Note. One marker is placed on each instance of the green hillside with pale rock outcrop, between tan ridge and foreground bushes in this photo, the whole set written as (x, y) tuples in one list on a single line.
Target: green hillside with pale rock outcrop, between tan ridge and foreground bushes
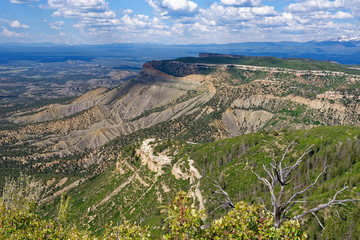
[(147, 175)]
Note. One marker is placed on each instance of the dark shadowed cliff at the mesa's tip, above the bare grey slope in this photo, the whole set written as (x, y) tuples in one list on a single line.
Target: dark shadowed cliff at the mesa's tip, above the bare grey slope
[(166, 68)]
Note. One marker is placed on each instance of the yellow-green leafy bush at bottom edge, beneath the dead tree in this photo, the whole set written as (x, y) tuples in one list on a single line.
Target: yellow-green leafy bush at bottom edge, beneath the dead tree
[(244, 222)]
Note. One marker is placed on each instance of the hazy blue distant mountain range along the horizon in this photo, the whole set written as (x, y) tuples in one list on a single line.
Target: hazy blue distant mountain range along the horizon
[(344, 50)]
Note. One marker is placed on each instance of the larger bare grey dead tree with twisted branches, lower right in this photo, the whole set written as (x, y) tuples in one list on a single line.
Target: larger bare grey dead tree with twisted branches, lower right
[(279, 174)]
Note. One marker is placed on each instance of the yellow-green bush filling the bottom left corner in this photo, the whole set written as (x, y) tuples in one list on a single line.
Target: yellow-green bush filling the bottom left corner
[(18, 218)]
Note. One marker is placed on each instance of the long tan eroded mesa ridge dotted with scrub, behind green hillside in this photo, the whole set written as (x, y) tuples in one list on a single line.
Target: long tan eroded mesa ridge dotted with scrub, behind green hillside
[(176, 99)]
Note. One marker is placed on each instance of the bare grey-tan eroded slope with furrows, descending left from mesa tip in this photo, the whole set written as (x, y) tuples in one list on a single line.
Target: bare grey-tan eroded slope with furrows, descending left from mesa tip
[(139, 103)]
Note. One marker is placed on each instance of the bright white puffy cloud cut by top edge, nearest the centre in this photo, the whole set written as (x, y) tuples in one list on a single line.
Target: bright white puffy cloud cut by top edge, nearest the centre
[(173, 7)]
